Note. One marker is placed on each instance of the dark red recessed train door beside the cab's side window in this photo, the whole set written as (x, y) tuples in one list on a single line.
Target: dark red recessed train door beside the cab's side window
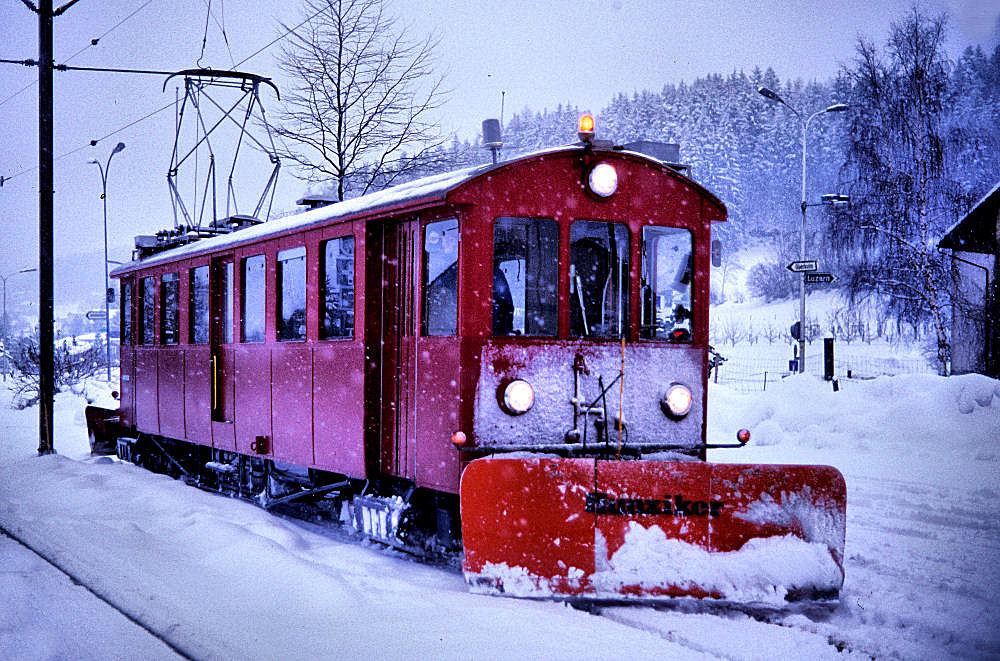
[(394, 325)]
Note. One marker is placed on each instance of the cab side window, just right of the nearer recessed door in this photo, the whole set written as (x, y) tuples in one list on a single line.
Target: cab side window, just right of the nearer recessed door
[(440, 278)]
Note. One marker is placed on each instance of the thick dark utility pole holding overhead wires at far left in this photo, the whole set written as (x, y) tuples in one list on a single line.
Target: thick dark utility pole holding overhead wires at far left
[(46, 321)]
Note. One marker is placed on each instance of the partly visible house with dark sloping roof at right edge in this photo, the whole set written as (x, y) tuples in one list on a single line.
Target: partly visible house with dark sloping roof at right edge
[(974, 241)]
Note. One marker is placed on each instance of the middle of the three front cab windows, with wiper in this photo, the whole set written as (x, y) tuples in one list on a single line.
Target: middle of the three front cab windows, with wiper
[(598, 279)]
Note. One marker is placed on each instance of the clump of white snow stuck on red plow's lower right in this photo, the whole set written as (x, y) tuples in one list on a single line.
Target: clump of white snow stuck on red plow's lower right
[(766, 570)]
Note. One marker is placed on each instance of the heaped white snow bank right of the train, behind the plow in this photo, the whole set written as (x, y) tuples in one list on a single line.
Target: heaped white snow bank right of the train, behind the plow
[(942, 430)]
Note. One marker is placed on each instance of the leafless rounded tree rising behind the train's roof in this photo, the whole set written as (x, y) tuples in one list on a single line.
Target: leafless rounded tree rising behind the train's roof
[(359, 112)]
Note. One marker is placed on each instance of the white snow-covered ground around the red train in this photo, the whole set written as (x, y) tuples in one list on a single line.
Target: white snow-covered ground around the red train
[(220, 579)]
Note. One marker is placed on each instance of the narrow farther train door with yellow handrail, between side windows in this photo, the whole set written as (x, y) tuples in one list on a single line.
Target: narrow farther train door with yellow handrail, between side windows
[(221, 341)]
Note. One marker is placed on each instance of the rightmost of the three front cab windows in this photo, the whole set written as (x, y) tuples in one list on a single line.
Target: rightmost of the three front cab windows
[(666, 284)]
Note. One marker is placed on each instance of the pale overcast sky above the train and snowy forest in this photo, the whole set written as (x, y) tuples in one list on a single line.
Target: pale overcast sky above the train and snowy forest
[(539, 53)]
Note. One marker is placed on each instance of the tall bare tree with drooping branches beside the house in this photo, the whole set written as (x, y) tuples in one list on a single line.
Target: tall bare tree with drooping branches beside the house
[(900, 160)]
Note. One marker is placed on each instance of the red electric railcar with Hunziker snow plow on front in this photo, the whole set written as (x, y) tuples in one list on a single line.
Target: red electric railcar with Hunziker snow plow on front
[(542, 320)]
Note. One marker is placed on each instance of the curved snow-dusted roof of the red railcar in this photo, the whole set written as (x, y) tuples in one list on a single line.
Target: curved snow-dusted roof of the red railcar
[(415, 194)]
